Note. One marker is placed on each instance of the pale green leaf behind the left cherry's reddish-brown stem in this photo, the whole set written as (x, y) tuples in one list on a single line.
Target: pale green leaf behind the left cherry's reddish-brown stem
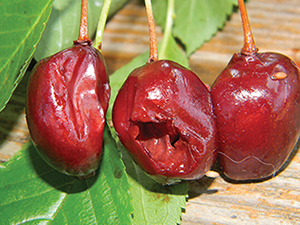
[(63, 26)]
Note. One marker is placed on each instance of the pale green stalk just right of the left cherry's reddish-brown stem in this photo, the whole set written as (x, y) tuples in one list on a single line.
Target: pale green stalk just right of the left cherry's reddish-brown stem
[(101, 24)]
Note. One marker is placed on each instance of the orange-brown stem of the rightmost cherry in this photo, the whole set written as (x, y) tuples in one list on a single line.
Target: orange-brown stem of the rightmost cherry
[(249, 47)]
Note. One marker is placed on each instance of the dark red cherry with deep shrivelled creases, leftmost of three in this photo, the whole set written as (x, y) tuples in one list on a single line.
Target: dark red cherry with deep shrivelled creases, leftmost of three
[(67, 100)]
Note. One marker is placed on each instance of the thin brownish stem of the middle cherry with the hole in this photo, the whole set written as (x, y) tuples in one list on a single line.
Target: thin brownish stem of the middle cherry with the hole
[(153, 42)]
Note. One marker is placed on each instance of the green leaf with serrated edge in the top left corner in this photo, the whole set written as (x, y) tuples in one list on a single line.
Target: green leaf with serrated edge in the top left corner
[(22, 24)]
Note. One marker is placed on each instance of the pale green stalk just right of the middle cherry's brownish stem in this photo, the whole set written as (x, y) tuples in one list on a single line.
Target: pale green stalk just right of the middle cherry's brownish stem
[(168, 29)]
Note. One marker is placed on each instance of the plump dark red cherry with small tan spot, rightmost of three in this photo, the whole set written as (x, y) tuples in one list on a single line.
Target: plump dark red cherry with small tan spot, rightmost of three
[(257, 105)]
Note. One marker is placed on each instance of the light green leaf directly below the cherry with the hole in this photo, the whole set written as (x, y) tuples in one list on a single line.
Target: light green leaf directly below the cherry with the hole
[(154, 203)]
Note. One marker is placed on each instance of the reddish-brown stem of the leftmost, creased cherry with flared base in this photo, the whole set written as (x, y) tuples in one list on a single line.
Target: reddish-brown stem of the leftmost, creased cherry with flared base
[(83, 38)]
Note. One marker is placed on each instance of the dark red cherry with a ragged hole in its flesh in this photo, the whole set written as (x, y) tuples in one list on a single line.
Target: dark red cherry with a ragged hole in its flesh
[(163, 116)]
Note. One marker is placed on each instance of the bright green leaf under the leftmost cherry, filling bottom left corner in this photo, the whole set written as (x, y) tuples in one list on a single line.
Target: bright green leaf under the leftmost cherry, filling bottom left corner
[(33, 192)]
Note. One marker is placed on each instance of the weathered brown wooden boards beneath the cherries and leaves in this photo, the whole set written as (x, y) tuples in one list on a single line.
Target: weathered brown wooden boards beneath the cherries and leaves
[(276, 27)]
